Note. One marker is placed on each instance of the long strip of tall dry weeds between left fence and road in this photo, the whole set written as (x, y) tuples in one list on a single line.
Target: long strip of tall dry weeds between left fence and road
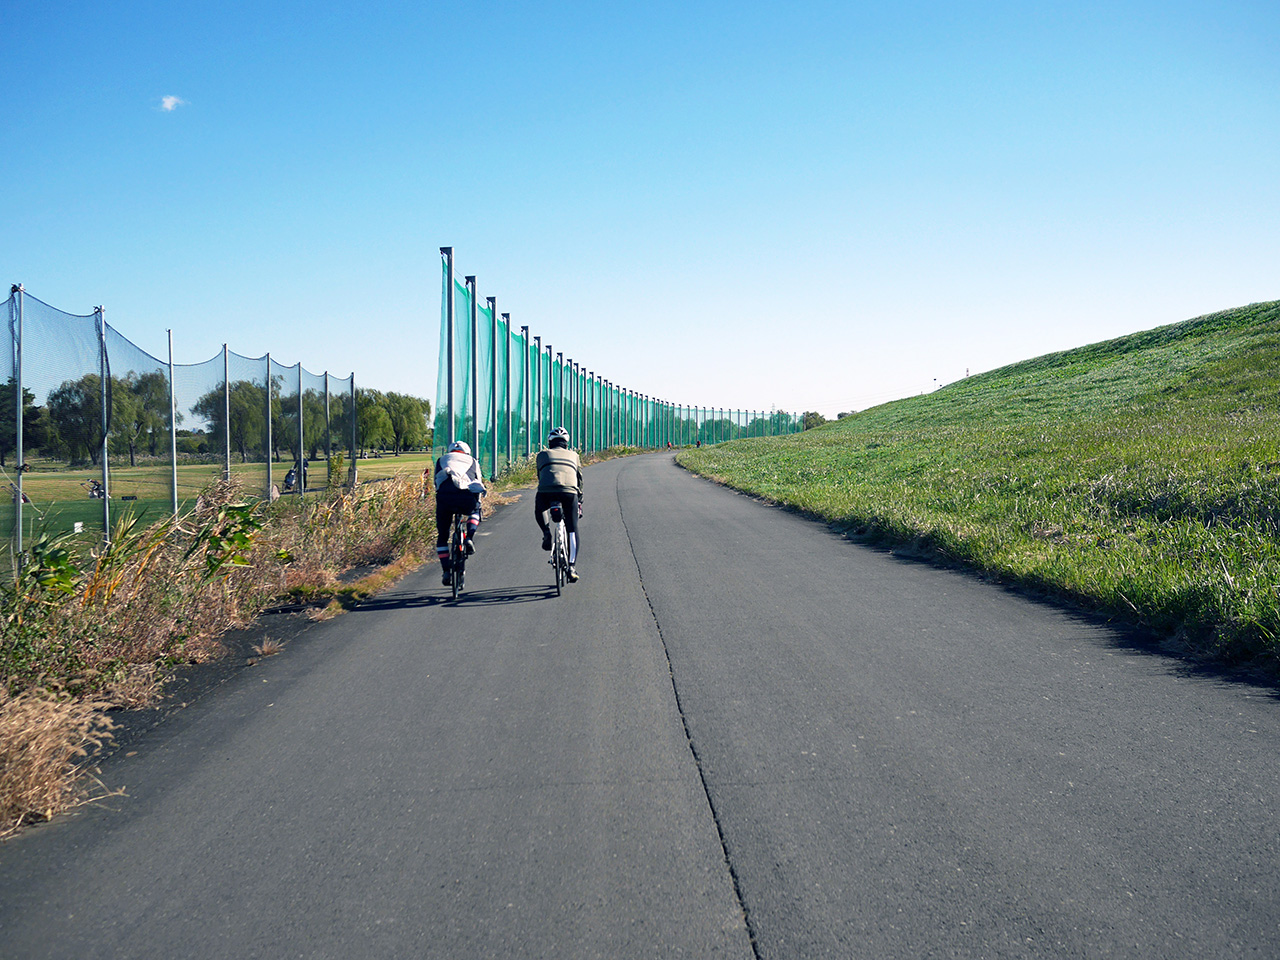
[(152, 600)]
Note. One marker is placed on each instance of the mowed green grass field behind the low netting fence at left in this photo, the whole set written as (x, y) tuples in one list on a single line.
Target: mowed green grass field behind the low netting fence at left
[(60, 497)]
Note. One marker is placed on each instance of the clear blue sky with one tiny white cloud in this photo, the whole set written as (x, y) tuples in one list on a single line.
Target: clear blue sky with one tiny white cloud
[(804, 205)]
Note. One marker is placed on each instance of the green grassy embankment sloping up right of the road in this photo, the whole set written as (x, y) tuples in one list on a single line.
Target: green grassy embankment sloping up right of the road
[(1139, 477)]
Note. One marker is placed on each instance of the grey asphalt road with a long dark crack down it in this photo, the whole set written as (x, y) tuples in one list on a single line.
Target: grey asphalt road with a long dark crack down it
[(740, 735)]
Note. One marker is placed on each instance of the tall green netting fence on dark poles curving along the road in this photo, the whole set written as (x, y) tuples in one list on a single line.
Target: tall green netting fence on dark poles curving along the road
[(502, 392)]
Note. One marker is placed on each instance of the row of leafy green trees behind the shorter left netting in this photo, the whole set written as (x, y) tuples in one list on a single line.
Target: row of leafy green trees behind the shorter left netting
[(70, 426)]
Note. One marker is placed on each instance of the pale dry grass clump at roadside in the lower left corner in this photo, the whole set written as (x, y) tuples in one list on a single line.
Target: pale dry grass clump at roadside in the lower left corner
[(48, 743)]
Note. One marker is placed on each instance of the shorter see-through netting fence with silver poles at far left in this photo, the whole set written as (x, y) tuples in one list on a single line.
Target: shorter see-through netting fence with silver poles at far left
[(93, 426)]
